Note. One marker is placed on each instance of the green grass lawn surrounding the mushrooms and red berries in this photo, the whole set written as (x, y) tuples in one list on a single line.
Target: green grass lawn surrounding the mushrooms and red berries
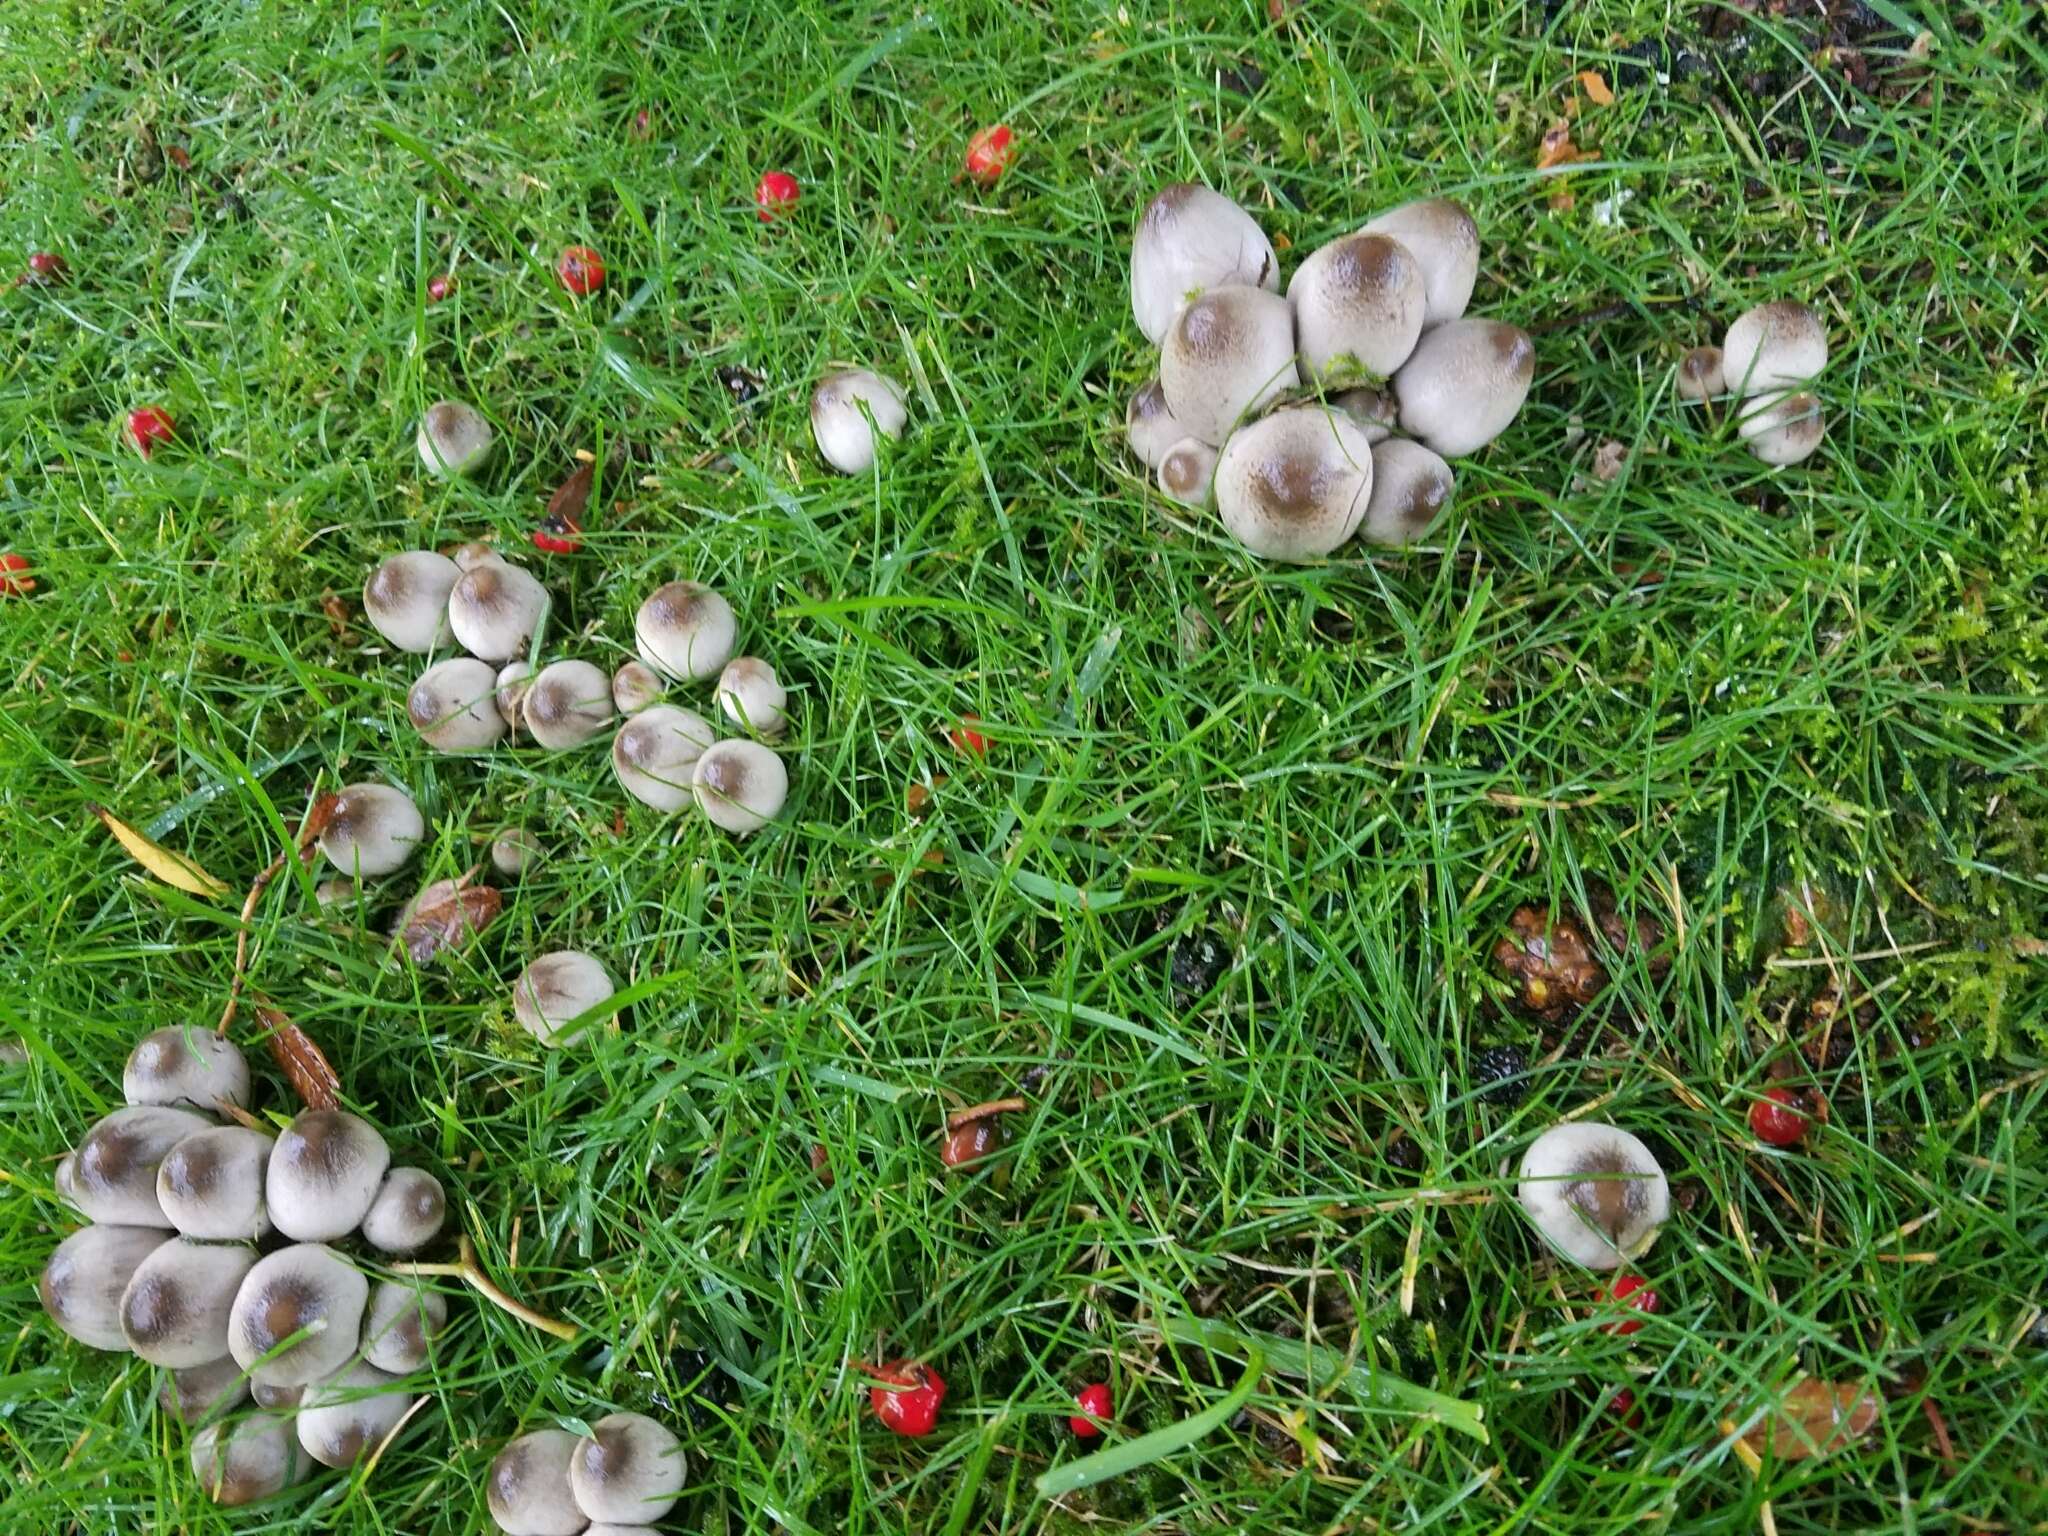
[(1701, 683)]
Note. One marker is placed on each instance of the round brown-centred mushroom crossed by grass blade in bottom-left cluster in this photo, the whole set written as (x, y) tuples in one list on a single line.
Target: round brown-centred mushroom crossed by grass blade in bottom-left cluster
[(302, 1289)]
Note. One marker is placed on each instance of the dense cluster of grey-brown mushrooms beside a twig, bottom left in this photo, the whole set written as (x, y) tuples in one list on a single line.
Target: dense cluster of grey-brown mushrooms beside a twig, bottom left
[(208, 1254)]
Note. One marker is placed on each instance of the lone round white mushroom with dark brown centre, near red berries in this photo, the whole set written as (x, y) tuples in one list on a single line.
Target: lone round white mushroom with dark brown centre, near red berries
[(1594, 1193)]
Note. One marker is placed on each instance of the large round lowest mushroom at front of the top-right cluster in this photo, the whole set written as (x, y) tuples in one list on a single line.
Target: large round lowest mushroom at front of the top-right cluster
[(1295, 484)]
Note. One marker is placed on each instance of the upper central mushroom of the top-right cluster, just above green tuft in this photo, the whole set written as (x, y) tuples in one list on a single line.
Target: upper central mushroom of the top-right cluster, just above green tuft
[(1359, 306)]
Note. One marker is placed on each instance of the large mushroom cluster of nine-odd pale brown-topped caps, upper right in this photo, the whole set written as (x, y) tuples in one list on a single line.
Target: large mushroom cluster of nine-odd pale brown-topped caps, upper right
[(1330, 411)]
